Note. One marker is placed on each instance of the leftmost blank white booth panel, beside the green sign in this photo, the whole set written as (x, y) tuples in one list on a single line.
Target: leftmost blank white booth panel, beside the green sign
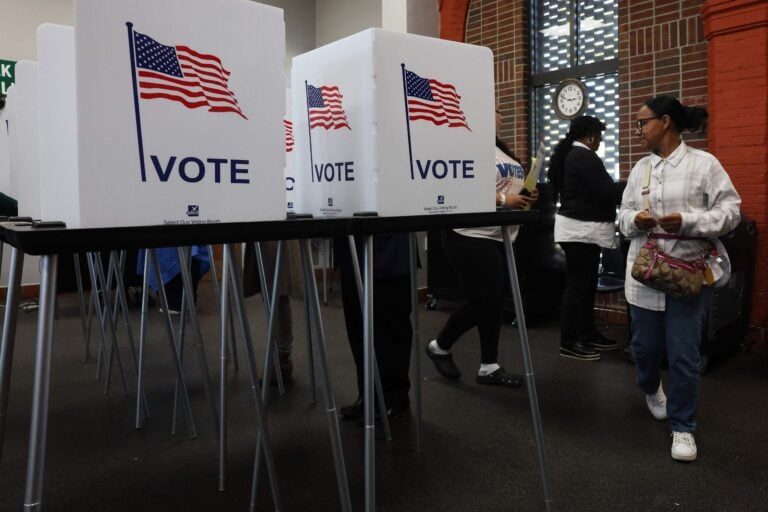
[(23, 140)]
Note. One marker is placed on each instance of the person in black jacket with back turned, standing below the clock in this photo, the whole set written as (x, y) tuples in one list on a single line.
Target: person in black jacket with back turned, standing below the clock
[(584, 224)]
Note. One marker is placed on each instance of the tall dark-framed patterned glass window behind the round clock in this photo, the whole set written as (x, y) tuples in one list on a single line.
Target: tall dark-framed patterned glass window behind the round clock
[(575, 38)]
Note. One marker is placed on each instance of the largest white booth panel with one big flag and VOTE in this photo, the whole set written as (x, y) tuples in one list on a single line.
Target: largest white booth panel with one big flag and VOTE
[(179, 107)]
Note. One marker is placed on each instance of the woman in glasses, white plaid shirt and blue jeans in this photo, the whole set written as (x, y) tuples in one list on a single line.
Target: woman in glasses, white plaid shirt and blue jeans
[(689, 201)]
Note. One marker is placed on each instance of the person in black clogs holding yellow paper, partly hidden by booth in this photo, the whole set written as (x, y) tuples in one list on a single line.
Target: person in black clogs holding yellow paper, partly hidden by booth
[(477, 256)]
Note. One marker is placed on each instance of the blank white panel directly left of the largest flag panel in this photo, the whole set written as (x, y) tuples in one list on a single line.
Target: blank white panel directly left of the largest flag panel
[(59, 183)]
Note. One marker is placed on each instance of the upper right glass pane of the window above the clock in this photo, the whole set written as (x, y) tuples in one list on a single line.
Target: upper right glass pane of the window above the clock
[(598, 27)]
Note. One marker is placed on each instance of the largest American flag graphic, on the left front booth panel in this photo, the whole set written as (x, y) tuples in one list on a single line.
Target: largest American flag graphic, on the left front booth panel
[(179, 73)]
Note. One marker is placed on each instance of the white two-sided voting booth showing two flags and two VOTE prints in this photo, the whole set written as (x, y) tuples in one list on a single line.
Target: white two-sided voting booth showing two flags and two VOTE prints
[(394, 123)]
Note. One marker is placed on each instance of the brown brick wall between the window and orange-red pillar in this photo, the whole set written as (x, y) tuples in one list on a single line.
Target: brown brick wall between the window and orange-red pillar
[(662, 50)]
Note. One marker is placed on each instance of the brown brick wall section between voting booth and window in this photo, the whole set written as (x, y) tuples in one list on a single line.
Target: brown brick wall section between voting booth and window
[(502, 26)]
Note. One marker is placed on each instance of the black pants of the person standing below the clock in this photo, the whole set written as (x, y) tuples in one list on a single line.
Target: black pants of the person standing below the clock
[(577, 320)]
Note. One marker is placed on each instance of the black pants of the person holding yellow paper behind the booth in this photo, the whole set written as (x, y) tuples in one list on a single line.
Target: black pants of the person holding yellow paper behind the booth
[(479, 264)]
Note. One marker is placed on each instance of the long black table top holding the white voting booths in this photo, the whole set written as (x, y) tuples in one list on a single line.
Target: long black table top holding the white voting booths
[(33, 239)]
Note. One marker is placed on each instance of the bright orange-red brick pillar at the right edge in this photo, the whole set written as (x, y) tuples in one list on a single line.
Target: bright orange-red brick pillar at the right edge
[(738, 81)]
